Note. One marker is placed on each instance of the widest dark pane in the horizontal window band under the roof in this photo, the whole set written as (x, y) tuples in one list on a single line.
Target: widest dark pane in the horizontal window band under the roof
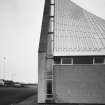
[(83, 60)]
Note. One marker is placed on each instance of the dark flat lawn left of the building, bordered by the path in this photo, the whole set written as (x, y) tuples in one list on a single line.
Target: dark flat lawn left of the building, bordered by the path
[(10, 95)]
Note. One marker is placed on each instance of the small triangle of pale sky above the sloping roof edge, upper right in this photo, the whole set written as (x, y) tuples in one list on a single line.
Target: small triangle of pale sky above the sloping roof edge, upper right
[(96, 7)]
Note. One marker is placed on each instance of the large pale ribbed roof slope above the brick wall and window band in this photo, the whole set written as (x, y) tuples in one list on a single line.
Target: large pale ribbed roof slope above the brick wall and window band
[(77, 32)]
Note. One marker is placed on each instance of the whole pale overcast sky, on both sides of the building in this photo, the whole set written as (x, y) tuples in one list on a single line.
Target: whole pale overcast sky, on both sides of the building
[(20, 26)]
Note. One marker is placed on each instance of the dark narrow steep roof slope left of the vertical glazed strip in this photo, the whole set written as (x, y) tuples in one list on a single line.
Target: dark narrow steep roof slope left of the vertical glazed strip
[(44, 29)]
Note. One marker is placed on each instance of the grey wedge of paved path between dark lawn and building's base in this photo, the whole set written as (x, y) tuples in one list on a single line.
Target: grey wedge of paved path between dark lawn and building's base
[(29, 101)]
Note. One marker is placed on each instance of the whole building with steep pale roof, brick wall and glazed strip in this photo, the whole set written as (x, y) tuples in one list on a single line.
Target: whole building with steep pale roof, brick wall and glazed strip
[(71, 56)]
